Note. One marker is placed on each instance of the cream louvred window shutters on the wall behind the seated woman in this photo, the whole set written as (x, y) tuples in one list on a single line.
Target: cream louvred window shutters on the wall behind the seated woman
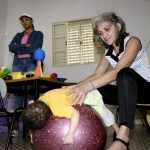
[(73, 43)]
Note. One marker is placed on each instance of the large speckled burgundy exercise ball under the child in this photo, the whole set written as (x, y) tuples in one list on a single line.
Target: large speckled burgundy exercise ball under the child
[(90, 135)]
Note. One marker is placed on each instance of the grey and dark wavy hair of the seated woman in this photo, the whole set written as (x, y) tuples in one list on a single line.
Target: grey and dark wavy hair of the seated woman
[(114, 19)]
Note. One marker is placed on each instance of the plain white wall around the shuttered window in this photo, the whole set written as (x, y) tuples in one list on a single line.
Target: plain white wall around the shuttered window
[(134, 12)]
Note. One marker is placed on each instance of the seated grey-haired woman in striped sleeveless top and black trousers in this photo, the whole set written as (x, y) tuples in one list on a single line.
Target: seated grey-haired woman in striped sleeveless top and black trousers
[(130, 68)]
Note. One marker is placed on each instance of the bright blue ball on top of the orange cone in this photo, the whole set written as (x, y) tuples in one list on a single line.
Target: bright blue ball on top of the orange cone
[(39, 55)]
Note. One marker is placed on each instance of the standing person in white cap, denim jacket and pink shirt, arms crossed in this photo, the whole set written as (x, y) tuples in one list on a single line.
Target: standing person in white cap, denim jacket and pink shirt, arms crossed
[(23, 46)]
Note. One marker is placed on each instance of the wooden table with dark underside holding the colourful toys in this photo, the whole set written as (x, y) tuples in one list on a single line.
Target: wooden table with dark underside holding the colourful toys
[(33, 86)]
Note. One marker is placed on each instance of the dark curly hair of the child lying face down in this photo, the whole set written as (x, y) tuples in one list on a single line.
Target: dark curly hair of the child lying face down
[(35, 115)]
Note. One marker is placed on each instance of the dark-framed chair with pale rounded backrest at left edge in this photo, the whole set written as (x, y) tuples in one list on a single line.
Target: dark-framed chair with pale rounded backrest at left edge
[(10, 115)]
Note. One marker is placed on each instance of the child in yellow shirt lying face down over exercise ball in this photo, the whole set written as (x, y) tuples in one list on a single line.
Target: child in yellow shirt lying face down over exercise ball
[(36, 114)]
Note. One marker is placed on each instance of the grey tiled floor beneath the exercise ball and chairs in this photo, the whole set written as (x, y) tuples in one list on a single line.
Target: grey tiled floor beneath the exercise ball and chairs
[(140, 140)]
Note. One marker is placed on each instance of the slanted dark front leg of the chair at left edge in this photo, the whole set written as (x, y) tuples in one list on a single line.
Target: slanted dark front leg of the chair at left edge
[(9, 138)]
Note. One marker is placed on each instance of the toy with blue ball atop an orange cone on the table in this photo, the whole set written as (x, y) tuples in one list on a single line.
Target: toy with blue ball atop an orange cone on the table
[(39, 55)]
